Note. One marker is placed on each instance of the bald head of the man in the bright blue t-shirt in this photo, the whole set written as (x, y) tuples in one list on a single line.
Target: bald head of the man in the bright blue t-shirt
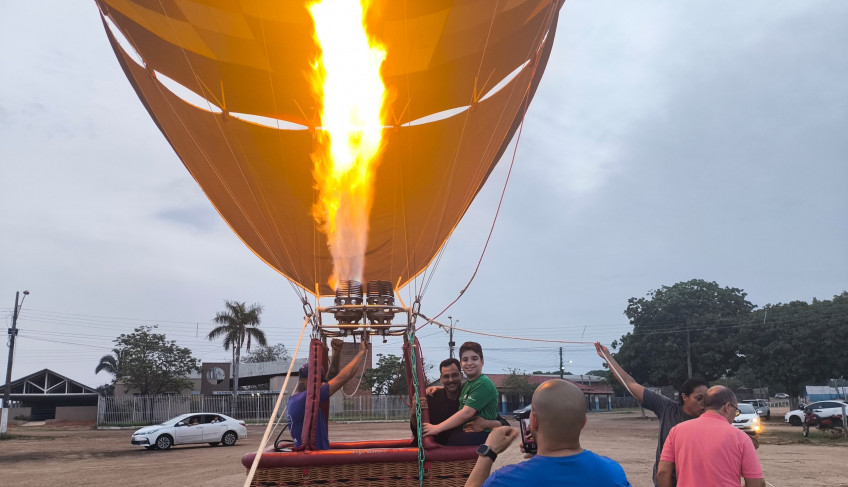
[(560, 410)]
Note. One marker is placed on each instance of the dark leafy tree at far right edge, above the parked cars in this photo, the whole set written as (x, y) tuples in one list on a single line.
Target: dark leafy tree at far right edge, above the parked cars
[(797, 343)]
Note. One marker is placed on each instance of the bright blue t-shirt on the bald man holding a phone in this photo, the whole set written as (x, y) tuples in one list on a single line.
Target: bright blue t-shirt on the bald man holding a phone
[(585, 468)]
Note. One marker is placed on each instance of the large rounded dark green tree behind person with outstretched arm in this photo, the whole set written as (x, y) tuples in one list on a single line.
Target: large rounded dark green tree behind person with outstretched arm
[(696, 316)]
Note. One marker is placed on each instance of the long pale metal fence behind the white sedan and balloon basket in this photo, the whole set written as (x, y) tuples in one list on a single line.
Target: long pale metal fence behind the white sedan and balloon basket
[(254, 408)]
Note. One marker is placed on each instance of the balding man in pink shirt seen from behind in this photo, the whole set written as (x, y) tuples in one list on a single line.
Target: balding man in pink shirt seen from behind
[(709, 450)]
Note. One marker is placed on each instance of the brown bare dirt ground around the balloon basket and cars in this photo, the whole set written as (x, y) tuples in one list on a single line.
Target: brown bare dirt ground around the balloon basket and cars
[(80, 455)]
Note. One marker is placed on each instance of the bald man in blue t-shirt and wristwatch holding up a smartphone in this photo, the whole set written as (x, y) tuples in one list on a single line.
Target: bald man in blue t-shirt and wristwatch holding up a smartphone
[(556, 420)]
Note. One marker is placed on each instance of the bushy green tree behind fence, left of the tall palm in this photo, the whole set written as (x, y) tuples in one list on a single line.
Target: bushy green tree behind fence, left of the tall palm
[(152, 365)]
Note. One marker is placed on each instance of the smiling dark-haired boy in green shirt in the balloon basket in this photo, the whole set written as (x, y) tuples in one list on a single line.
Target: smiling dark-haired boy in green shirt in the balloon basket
[(478, 396)]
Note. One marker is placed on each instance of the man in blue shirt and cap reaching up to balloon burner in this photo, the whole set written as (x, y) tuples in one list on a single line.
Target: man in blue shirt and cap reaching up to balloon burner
[(297, 403)]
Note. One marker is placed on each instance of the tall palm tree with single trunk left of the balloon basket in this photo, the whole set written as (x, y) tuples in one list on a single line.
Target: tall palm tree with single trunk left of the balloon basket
[(238, 325)]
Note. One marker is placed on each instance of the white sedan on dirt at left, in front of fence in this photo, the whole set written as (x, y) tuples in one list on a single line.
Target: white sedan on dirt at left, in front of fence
[(209, 428)]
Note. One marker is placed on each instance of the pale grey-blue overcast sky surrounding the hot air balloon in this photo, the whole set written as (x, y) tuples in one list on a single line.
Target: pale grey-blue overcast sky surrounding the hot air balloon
[(668, 141)]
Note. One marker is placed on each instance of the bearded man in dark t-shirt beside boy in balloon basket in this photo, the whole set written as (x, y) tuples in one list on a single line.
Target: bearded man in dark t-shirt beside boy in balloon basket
[(443, 402)]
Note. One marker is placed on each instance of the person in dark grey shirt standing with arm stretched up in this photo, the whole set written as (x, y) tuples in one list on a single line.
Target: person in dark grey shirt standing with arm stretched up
[(669, 413)]
